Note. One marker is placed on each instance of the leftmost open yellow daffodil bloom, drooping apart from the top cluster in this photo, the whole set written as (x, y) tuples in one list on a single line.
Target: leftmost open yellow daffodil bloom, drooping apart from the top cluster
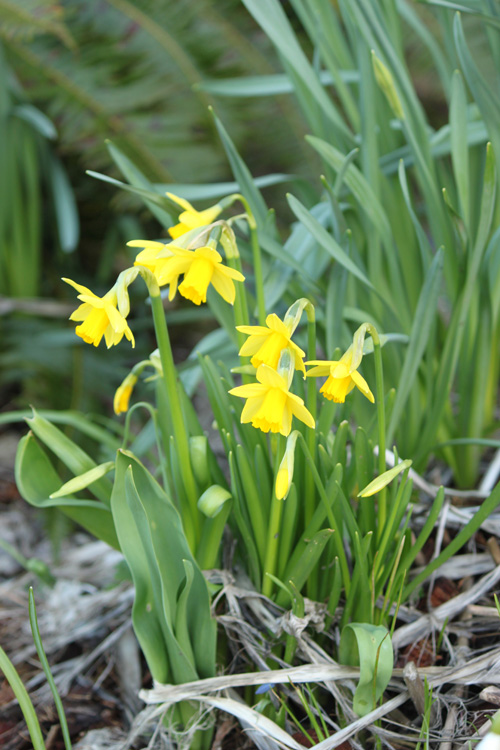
[(99, 316)]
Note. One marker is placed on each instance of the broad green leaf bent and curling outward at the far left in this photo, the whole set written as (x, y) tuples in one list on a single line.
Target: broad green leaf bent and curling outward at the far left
[(37, 479)]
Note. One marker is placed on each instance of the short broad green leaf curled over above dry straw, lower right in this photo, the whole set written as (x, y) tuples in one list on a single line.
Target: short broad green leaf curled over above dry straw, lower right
[(370, 647)]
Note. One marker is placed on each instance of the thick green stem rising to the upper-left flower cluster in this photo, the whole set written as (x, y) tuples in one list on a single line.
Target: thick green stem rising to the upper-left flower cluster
[(173, 397)]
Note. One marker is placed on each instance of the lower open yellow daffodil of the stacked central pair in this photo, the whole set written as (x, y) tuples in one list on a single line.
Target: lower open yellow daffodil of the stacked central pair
[(270, 406)]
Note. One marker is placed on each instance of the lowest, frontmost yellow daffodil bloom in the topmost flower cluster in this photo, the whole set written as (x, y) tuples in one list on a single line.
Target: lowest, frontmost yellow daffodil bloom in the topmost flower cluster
[(201, 267)]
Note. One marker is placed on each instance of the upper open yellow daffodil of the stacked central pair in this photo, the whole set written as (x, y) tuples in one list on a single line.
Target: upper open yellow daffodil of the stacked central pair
[(267, 342)]
